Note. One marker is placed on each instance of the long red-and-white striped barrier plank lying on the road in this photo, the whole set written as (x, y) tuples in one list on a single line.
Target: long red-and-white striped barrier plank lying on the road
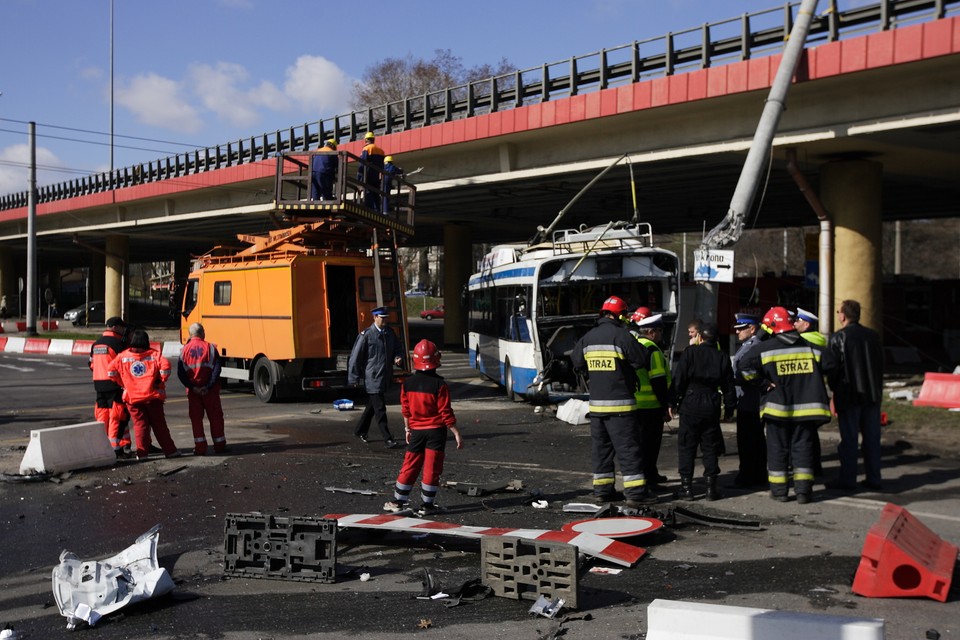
[(587, 543)]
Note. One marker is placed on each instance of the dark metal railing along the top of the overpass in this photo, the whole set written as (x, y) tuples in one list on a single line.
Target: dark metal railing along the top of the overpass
[(749, 36)]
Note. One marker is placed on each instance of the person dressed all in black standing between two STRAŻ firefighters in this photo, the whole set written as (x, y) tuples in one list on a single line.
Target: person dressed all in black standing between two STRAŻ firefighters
[(702, 377)]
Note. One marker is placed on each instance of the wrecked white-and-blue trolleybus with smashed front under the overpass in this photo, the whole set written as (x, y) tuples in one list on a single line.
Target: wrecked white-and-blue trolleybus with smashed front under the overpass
[(529, 304)]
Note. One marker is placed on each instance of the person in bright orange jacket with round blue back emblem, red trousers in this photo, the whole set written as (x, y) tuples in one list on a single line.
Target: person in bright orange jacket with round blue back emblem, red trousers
[(143, 373)]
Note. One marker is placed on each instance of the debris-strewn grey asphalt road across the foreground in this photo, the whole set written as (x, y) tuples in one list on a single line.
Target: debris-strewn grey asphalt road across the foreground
[(284, 456)]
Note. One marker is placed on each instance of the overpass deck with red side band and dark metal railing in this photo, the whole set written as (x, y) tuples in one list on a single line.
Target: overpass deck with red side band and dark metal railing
[(874, 116)]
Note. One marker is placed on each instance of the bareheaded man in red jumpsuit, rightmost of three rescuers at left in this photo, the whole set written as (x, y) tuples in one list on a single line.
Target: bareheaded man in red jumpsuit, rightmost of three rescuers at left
[(199, 371)]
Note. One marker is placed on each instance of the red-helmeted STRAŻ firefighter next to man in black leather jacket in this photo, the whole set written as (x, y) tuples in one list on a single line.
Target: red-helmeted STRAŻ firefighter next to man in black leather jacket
[(793, 401)]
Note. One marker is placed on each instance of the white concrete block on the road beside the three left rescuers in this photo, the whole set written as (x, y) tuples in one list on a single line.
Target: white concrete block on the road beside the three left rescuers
[(74, 446)]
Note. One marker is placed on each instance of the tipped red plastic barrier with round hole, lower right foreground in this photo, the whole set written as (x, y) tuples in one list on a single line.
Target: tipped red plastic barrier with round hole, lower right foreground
[(903, 558)]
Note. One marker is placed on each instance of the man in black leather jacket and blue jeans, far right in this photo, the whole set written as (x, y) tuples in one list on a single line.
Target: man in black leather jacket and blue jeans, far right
[(857, 391)]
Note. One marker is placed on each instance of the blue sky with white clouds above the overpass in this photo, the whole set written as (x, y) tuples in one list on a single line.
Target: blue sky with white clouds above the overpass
[(194, 73)]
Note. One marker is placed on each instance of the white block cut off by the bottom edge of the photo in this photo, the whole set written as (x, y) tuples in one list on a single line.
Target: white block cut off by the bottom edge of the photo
[(678, 620)]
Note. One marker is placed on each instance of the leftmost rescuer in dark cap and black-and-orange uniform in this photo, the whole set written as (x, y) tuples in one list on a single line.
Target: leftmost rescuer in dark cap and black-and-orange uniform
[(109, 408)]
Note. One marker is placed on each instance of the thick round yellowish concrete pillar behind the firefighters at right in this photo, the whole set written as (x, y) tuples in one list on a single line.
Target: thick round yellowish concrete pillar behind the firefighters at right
[(851, 192)]
